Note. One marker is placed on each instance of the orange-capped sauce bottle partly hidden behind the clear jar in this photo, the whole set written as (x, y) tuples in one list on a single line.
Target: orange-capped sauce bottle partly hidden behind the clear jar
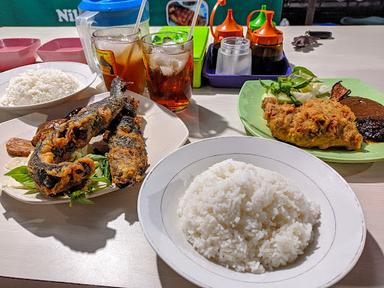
[(228, 28)]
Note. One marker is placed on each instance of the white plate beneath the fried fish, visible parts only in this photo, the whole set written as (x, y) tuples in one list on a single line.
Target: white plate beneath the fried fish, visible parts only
[(164, 132)]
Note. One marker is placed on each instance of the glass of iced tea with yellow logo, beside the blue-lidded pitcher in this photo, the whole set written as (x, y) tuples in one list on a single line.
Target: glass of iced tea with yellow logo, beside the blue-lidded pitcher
[(119, 53)]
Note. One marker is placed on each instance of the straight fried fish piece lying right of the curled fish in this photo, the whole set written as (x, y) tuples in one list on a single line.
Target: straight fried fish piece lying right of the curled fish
[(127, 154)]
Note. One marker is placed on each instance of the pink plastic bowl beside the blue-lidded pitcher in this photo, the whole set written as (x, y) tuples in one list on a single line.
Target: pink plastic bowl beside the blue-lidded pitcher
[(62, 49)]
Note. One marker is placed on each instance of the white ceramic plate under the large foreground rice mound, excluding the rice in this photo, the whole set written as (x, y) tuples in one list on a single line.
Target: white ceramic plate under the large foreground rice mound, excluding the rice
[(332, 255)]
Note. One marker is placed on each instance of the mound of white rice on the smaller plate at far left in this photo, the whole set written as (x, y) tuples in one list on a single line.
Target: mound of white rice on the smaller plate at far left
[(38, 86)]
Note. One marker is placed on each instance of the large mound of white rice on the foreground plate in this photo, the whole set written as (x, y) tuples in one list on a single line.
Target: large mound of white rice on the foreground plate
[(246, 218)]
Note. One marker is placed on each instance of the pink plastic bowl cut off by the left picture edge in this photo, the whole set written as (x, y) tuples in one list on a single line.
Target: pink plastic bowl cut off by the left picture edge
[(15, 52)]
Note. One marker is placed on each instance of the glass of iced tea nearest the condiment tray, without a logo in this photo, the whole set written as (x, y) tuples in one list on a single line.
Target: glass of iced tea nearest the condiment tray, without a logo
[(168, 59)]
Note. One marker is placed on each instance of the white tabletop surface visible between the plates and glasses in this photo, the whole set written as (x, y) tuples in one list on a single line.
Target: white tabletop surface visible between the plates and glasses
[(103, 244)]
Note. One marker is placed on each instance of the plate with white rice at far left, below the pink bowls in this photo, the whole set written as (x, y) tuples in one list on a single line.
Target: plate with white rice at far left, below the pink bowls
[(43, 85)]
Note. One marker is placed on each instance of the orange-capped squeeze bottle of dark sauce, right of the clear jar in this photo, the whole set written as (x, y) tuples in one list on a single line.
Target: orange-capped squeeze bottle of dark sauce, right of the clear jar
[(267, 46)]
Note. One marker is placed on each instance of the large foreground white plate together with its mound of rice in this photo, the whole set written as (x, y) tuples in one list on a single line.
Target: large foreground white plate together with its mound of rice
[(249, 212)]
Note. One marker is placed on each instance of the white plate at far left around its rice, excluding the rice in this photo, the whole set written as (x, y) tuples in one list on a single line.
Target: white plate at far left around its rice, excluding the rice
[(78, 70)]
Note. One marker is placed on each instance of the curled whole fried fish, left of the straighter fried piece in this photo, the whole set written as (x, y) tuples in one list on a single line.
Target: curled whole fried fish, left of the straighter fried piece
[(50, 165)]
